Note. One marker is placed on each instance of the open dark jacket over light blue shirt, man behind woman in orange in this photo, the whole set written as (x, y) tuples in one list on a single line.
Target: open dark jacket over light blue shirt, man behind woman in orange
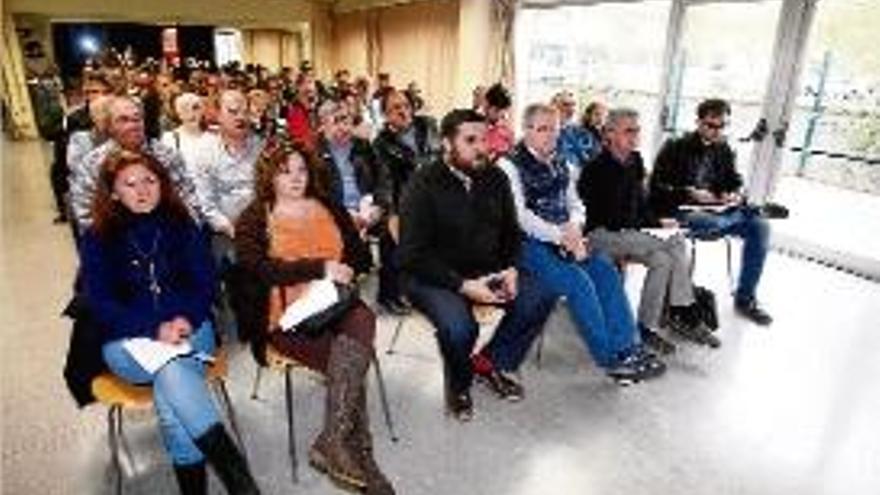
[(365, 168)]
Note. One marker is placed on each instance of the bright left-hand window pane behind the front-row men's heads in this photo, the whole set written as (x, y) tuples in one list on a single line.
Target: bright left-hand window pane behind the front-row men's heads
[(610, 52)]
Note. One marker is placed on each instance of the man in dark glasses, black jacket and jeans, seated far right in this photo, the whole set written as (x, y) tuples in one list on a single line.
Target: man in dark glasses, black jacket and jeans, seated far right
[(695, 180)]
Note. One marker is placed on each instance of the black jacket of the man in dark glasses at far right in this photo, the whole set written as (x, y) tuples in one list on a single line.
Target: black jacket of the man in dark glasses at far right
[(687, 162)]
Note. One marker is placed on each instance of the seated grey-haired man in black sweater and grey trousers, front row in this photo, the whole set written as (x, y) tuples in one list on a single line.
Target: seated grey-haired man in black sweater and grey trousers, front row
[(613, 189)]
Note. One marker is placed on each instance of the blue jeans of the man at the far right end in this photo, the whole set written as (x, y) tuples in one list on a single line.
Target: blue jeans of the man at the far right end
[(743, 222)]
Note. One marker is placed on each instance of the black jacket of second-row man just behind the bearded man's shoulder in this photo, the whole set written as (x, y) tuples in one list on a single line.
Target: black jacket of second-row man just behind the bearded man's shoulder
[(397, 161)]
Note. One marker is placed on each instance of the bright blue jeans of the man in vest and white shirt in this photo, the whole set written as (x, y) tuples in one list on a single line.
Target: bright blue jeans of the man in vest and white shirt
[(595, 294)]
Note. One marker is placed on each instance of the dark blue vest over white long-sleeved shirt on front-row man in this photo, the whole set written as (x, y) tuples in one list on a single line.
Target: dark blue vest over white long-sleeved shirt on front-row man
[(544, 187)]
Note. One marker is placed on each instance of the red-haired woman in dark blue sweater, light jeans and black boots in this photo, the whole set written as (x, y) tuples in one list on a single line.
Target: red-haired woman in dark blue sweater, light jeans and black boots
[(147, 273)]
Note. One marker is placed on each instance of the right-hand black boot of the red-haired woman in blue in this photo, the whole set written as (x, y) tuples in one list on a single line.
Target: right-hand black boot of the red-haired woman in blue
[(227, 461)]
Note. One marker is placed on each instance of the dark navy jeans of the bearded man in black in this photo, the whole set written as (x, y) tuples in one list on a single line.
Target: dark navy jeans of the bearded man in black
[(457, 330)]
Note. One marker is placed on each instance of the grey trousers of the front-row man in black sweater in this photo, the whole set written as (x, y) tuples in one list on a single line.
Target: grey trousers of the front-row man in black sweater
[(668, 279)]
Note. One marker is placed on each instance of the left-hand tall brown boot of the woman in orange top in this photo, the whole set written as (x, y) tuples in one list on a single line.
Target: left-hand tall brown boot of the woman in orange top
[(331, 452)]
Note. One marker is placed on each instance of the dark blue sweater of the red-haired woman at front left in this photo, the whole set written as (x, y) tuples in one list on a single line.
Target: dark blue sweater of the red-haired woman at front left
[(151, 271)]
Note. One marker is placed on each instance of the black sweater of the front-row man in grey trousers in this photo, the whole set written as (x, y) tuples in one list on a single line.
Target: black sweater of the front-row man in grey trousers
[(614, 193)]
